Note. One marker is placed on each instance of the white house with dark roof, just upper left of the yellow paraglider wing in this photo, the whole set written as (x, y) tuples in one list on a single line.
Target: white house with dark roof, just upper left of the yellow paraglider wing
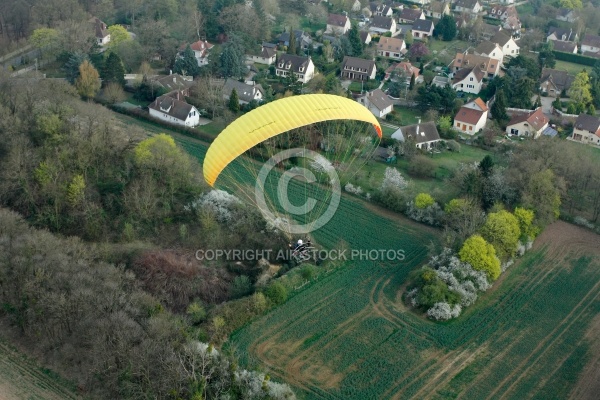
[(173, 110)]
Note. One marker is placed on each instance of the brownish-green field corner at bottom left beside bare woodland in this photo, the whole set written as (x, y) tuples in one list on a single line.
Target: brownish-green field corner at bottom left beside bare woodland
[(21, 378)]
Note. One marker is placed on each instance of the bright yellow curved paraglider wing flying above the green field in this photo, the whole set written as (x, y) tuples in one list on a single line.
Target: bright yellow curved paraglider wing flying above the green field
[(275, 118)]
